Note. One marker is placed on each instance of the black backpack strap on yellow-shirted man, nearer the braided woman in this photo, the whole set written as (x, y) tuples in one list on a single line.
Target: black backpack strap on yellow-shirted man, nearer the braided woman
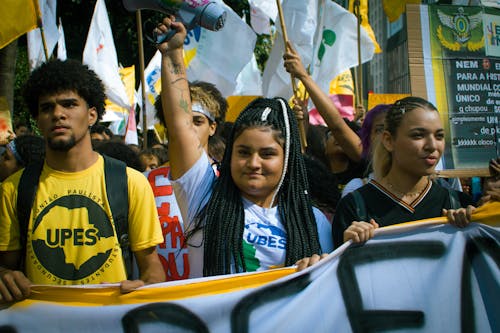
[(115, 174)]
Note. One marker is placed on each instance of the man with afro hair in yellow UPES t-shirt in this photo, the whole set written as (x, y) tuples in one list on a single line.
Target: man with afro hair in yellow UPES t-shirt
[(71, 237)]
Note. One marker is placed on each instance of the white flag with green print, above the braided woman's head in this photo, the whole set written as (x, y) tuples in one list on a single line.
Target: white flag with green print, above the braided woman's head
[(325, 36)]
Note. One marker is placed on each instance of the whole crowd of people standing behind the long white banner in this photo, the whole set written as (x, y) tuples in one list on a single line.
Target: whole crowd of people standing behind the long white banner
[(218, 197)]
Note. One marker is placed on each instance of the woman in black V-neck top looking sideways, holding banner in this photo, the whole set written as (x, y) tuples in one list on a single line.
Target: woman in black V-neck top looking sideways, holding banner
[(405, 156)]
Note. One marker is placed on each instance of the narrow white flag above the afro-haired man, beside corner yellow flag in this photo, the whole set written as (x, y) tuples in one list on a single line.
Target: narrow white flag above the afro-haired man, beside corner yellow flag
[(36, 52)]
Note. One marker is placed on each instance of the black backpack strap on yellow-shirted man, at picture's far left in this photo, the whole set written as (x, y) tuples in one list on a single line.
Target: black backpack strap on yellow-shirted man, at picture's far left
[(26, 192)]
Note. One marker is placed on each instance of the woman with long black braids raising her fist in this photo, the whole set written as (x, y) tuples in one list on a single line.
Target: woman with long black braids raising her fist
[(257, 215)]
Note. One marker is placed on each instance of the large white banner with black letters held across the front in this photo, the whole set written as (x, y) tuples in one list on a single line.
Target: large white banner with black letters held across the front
[(419, 278)]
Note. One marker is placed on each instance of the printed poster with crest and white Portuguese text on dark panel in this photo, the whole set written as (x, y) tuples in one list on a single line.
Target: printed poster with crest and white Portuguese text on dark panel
[(465, 56)]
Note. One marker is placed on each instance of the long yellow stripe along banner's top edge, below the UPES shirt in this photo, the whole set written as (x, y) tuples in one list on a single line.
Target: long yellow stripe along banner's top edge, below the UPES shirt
[(99, 296)]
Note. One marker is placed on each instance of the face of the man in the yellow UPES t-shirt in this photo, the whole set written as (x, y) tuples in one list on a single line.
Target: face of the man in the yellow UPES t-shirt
[(64, 119)]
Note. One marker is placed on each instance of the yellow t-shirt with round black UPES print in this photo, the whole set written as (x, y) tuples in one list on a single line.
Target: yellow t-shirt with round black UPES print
[(71, 237)]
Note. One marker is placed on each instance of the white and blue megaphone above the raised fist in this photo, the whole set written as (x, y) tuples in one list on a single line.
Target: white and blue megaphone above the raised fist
[(207, 14)]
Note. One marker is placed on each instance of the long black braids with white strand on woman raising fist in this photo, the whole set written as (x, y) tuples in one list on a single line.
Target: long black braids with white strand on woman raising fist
[(223, 217)]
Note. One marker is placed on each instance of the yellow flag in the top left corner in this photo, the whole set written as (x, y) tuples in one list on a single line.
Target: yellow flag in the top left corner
[(17, 17)]
